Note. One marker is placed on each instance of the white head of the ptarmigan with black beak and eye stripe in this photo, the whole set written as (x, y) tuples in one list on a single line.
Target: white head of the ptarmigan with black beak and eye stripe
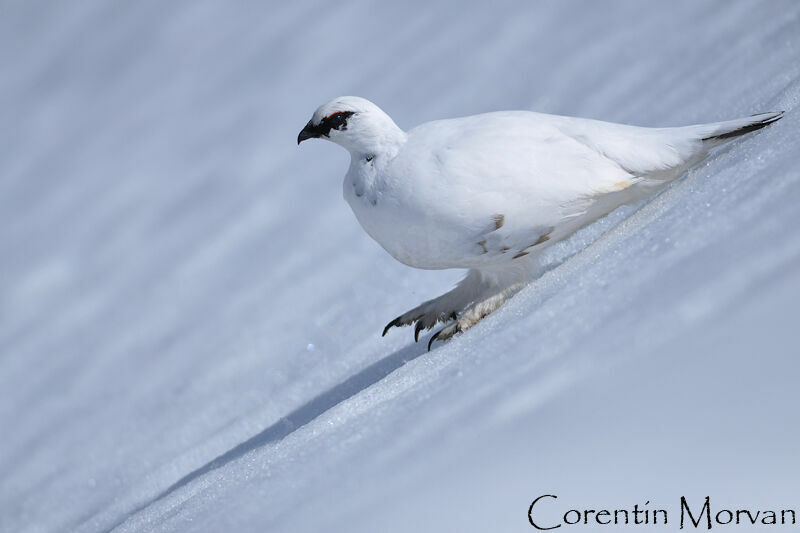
[(354, 123)]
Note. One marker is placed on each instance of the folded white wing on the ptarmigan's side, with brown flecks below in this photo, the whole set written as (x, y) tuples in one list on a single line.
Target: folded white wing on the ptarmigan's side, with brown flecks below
[(465, 175)]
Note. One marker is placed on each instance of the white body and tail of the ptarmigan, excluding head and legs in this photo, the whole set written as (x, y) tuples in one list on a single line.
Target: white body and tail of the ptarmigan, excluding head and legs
[(486, 189)]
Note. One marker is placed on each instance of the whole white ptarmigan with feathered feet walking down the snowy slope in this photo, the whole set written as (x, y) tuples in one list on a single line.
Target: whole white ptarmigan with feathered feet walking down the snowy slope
[(489, 192)]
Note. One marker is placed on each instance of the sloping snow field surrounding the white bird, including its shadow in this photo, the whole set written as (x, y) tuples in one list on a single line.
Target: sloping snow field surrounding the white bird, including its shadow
[(169, 255)]
